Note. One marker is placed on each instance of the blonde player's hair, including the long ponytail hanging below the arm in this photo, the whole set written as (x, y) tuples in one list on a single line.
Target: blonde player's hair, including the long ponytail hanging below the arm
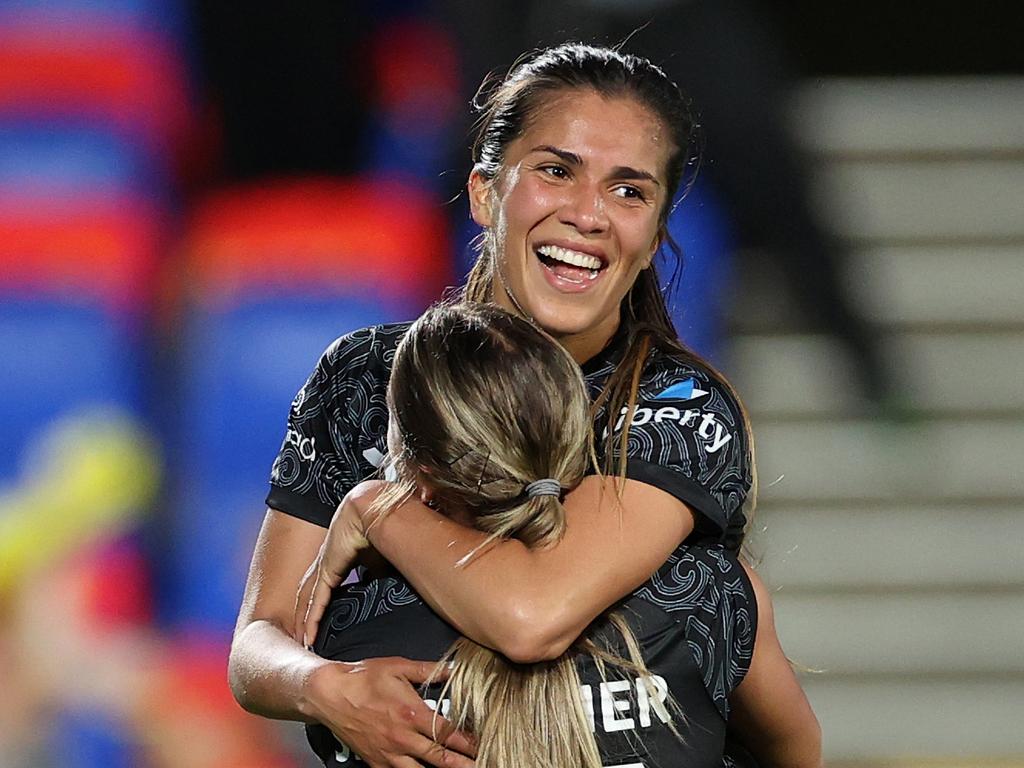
[(485, 404)]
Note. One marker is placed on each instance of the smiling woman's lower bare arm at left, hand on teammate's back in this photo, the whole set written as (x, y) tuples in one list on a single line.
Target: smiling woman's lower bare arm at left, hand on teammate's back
[(371, 706)]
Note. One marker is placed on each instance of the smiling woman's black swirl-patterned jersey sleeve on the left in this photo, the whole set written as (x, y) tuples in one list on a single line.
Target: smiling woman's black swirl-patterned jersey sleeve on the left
[(318, 462)]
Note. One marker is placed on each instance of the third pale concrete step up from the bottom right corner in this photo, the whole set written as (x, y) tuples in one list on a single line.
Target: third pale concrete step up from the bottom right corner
[(898, 546)]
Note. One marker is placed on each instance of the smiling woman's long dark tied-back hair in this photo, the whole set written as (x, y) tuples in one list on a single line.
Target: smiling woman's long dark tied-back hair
[(506, 112)]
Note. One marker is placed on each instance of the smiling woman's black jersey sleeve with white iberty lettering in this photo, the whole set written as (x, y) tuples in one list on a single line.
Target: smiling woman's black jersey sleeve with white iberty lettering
[(688, 437)]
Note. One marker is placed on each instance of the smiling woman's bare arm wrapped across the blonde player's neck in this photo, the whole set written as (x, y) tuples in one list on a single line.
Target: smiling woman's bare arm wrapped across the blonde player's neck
[(533, 605)]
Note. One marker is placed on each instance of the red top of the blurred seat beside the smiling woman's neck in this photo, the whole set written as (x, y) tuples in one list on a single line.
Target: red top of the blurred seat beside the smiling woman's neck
[(326, 237)]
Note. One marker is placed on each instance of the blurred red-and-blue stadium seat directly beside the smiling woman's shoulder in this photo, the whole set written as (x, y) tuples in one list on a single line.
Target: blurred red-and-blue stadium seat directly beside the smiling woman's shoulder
[(277, 272)]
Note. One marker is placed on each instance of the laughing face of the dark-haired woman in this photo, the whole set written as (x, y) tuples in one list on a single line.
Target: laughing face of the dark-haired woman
[(574, 215)]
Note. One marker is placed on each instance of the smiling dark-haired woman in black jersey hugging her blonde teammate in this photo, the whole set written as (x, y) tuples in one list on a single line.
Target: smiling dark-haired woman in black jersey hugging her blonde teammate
[(579, 157)]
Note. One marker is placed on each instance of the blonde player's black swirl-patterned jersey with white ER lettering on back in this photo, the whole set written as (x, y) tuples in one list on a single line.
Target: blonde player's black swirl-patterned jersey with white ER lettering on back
[(695, 621)]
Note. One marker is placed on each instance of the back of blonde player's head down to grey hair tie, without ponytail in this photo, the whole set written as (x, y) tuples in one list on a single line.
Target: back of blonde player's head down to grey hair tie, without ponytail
[(486, 404)]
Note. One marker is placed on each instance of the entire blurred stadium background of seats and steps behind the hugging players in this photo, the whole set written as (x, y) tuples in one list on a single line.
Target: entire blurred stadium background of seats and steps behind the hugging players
[(196, 199)]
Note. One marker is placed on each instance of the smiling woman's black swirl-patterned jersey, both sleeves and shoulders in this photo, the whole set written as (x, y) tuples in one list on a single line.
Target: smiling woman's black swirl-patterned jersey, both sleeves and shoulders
[(687, 435)]
